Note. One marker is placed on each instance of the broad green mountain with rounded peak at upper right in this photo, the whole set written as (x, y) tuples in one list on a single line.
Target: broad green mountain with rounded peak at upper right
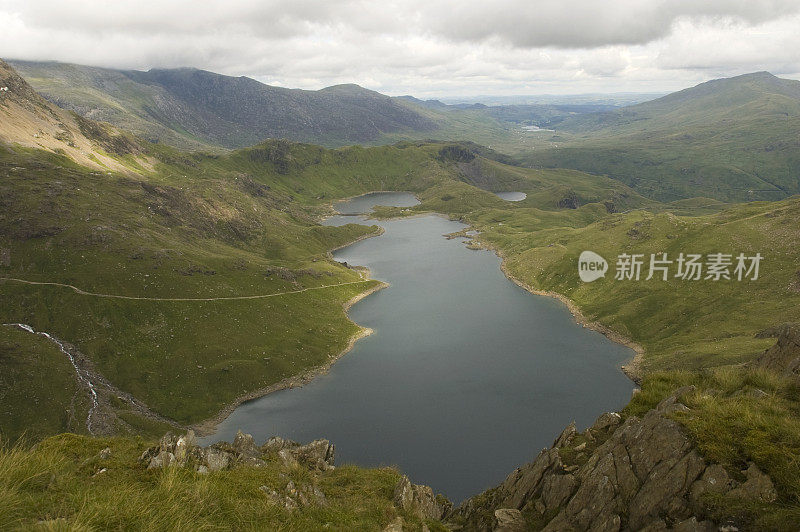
[(733, 139)]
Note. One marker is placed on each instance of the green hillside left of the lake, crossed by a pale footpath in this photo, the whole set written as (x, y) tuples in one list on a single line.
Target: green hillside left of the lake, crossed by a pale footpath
[(173, 238)]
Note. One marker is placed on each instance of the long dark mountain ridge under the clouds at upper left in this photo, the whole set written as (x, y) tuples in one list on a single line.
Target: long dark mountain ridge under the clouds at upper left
[(193, 108)]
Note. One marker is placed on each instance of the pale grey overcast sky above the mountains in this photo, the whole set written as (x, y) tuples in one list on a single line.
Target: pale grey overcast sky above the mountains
[(428, 48)]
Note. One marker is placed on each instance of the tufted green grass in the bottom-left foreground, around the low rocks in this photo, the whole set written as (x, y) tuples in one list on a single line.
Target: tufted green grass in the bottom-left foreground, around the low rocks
[(57, 486)]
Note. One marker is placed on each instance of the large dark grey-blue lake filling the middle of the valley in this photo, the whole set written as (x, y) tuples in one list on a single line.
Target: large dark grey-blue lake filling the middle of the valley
[(466, 376)]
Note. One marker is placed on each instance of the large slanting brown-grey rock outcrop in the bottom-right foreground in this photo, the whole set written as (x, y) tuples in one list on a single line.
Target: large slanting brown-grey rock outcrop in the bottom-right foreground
[(637, 474)]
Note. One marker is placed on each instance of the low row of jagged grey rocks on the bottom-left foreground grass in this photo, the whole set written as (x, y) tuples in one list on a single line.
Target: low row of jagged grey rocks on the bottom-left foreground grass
[(184, 451)]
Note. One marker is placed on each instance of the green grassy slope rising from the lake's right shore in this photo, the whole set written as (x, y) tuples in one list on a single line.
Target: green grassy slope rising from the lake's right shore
[(680, 323)]
